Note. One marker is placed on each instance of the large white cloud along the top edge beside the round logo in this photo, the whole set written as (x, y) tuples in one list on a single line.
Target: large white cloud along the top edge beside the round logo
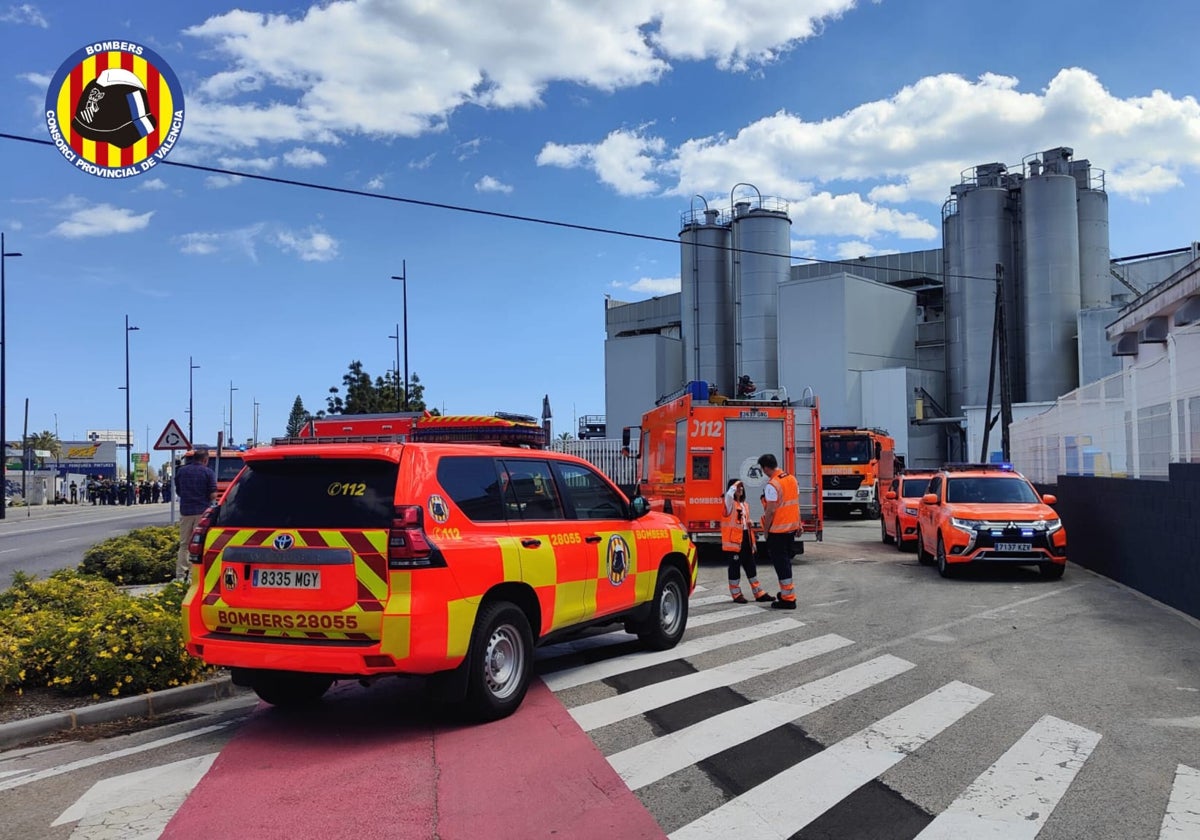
[(403, 69)]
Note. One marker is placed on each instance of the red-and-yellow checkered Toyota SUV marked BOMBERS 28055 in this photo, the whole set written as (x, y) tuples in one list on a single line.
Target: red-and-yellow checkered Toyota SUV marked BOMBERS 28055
[(331, 560)]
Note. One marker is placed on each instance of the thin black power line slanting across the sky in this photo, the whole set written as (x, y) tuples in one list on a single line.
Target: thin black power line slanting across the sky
[(495, 214)]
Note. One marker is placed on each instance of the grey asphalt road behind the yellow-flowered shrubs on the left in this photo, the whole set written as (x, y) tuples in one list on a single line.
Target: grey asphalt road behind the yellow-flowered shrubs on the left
[(41, 541)]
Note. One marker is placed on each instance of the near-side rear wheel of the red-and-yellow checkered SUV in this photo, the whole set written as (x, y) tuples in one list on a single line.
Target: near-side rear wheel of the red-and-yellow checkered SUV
[(501, 662)]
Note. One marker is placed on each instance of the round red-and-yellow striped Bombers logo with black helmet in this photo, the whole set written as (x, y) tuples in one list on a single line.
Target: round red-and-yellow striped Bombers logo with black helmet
[(115, 110)]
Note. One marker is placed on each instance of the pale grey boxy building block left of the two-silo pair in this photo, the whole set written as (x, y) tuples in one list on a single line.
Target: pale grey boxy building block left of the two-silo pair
[(638, 371)]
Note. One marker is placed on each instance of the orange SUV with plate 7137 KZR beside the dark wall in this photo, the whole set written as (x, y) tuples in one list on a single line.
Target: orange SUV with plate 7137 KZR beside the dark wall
[(989, 513)]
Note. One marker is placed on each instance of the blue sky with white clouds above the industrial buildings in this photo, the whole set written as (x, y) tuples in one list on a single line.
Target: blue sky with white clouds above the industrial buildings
[(615, 115)]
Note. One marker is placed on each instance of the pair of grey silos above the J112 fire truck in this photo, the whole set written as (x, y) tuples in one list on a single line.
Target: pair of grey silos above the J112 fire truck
[(731, 266)]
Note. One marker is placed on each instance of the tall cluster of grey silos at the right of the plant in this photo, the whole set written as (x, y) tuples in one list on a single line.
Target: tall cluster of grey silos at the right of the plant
[(1045, 231)]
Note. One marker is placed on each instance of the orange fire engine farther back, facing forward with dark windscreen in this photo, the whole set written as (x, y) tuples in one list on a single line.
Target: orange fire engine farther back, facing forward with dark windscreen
[(855, 465)]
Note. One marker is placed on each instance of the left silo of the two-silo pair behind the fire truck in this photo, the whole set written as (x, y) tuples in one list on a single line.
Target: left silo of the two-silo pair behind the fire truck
[(706, 299)]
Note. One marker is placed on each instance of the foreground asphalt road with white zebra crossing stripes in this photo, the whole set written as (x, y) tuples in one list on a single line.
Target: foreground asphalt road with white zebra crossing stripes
[(892, 705)]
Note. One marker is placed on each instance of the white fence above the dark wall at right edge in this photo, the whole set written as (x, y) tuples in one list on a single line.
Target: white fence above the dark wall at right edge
[(1132, 424)]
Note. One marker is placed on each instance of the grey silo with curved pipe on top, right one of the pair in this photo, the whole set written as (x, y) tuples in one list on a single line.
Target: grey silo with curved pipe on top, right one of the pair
[(761, 262)]
